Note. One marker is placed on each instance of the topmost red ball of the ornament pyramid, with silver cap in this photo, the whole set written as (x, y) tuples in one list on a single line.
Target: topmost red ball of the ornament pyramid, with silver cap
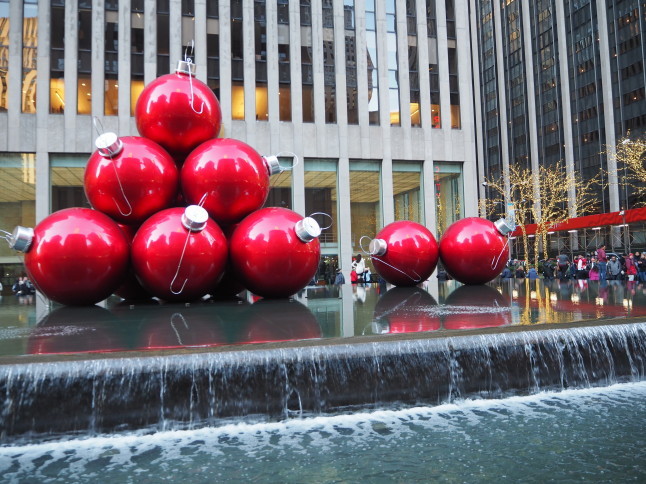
[(178, 111)]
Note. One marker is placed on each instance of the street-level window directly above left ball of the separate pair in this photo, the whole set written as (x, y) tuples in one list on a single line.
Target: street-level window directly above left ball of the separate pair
[(407, 191)]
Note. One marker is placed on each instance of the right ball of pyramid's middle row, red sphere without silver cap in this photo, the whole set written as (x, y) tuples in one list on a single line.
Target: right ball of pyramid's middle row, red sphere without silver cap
[(233, 176)]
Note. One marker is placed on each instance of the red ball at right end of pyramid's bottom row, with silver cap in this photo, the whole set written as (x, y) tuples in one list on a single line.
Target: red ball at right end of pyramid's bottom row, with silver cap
[(275, 252)]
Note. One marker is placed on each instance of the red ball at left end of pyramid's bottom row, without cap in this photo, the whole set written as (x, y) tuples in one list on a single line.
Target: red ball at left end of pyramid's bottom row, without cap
[(78, 256)]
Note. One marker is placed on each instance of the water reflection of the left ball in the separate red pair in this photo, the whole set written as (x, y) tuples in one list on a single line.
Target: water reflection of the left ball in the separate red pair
[(406, 310)]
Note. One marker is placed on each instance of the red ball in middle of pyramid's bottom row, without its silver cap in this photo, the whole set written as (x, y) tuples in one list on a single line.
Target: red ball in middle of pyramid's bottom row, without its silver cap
[(157, 250)]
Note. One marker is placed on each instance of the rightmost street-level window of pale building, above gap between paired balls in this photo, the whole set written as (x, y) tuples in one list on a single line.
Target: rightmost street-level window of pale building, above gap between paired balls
[(449, 194)]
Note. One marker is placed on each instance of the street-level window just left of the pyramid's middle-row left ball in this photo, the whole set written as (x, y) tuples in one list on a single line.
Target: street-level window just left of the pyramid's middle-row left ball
[(67, 181)]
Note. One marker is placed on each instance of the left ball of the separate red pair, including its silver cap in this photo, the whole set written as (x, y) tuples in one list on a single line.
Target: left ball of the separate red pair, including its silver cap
[(404, 253)]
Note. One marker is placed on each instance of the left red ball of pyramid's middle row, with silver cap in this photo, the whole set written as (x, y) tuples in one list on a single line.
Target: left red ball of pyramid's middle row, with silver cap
[(130, 178)]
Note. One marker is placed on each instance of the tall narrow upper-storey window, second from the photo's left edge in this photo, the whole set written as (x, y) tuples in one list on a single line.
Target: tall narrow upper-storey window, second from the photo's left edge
[(29, 55)]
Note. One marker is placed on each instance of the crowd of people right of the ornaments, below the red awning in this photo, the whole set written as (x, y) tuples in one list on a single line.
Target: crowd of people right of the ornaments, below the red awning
[(598, 266)]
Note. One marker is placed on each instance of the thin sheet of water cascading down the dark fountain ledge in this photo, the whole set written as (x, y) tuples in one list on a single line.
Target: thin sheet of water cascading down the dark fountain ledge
[(45, 398)]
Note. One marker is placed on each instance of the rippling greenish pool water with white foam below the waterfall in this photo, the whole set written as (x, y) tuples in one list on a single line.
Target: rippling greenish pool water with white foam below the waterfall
[(594, 435)]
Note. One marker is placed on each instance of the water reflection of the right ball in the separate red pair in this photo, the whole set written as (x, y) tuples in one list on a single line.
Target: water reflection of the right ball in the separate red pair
[(476, 307)]
